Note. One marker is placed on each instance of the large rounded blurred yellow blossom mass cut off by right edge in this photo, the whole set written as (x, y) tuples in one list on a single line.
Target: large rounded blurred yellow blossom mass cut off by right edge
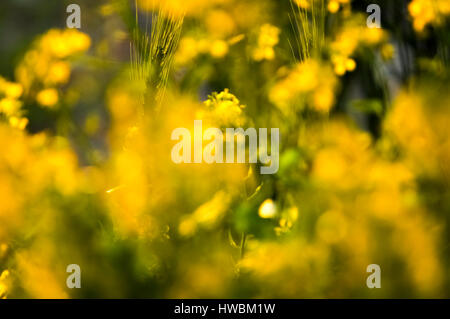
[(422, 134)]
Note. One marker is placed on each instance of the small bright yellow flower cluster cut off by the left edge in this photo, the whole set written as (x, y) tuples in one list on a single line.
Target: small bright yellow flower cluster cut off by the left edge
[(10, 105)]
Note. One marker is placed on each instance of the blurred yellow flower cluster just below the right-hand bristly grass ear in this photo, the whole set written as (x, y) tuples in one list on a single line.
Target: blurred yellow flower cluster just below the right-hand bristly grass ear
[(311, 82)]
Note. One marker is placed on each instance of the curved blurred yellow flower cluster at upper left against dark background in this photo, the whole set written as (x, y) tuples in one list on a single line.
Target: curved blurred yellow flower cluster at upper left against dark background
[(46, 65)]
